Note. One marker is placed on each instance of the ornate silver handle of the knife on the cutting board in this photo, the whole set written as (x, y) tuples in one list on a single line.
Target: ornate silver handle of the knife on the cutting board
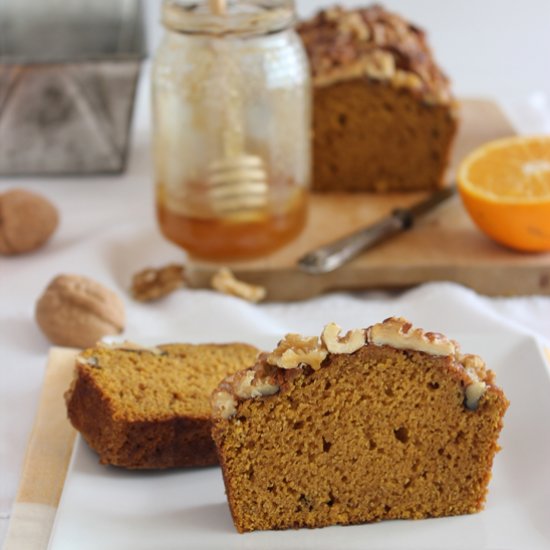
[(331, 256)]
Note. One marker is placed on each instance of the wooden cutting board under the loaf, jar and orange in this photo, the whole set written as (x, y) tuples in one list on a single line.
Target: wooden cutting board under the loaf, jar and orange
[(443, 246)]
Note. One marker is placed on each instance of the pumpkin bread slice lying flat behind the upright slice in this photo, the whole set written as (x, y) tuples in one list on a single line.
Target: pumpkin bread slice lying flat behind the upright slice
[(150, 407)]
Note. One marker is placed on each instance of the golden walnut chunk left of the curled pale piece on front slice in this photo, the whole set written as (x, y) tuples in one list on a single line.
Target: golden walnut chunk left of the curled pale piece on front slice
[(295, 350)]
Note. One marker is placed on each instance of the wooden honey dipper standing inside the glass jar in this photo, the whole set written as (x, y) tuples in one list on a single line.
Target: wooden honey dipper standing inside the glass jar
[(238, 181)]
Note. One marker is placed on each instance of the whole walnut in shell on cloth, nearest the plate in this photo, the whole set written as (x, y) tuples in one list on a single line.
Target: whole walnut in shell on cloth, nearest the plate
[(76, 311)]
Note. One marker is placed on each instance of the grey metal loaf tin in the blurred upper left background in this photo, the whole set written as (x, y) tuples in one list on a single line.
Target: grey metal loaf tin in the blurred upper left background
[(68, 74)]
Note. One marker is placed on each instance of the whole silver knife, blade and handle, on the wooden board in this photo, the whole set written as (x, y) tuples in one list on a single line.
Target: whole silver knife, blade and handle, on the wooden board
[(333, 255)]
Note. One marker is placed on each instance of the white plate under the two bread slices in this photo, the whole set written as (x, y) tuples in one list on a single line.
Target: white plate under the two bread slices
[(108, 508)]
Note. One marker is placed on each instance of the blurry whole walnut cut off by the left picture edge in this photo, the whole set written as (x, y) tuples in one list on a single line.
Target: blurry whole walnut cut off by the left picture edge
[(27, 221)]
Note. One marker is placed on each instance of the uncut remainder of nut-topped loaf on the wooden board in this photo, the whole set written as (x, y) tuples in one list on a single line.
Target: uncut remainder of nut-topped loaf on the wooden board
[(384, 118)]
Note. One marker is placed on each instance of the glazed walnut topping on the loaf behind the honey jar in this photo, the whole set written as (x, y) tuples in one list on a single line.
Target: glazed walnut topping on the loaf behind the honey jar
[(371, 41)]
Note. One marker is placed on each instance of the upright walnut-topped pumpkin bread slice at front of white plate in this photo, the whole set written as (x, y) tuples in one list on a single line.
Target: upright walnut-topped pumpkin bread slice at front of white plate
[(384, 423)]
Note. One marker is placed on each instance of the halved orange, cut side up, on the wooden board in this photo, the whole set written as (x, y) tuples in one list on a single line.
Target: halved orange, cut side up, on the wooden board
[(505, 187)]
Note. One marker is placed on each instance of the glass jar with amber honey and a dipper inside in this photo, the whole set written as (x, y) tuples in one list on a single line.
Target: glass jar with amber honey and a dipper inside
[(232, 112)]
